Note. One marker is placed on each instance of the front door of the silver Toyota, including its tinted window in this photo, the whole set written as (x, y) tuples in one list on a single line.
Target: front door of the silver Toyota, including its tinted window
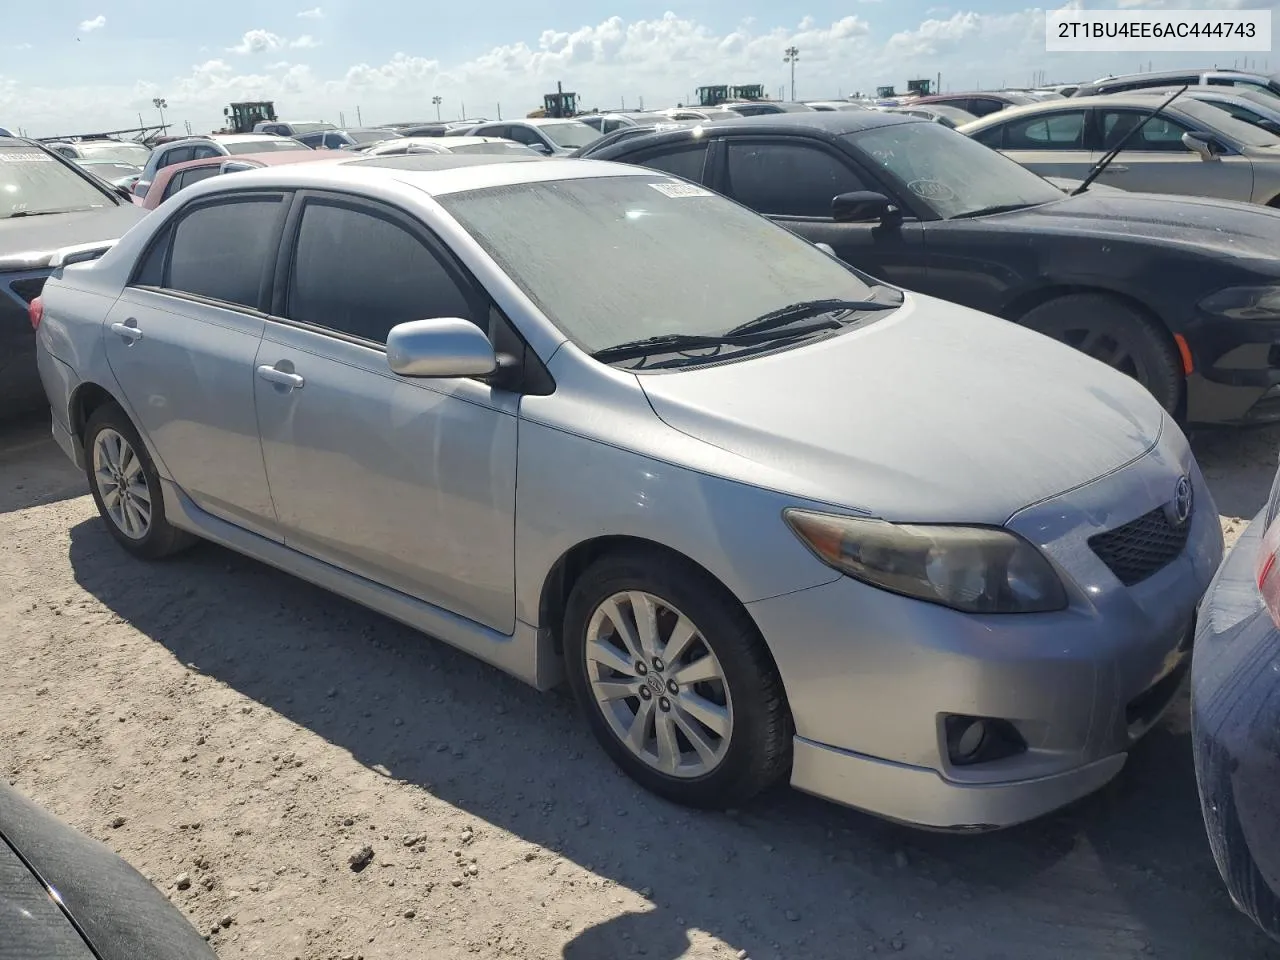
[(409, 483)]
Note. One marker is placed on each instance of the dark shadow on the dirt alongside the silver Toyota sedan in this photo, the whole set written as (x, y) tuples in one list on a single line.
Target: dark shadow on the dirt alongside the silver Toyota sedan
[(1123, 875)]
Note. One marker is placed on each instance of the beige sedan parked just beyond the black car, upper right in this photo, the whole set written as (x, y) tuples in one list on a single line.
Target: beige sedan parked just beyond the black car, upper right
[(1192, 148)]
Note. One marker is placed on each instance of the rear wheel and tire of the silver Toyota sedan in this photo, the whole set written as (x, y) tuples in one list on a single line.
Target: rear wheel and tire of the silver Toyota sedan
[(126, 487)]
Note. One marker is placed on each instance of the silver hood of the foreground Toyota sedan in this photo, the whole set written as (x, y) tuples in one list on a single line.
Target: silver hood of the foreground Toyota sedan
[(935, 414)]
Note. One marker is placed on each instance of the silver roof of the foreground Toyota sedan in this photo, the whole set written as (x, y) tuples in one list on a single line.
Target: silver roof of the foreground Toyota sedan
[(436, 175)]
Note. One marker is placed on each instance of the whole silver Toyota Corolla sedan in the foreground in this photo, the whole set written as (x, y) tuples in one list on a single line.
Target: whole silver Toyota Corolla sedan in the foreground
[(912, 557)]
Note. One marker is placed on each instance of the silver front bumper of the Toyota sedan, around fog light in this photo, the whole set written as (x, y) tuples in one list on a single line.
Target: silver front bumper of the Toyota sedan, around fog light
[(872, 678)]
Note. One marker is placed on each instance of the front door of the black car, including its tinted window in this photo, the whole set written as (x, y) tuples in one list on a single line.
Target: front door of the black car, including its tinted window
[(794, 181)]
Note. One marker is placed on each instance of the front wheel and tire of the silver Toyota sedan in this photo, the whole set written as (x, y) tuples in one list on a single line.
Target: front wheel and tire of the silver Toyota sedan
[(676, 682)]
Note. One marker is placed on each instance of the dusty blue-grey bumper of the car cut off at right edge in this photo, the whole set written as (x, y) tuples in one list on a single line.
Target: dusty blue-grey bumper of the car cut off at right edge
[(1236, 733)]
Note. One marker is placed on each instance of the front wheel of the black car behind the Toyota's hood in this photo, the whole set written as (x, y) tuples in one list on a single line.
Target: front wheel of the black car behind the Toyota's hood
[(1117, 335)]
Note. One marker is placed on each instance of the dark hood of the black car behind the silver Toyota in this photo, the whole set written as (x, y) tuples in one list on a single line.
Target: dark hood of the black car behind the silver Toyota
[(1222, 228)]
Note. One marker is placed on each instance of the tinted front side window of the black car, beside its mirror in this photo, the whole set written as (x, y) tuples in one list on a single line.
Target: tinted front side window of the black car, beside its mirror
[(788, 179)]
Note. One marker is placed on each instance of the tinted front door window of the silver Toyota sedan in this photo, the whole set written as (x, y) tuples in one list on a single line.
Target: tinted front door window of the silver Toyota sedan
[(360, 275)]
